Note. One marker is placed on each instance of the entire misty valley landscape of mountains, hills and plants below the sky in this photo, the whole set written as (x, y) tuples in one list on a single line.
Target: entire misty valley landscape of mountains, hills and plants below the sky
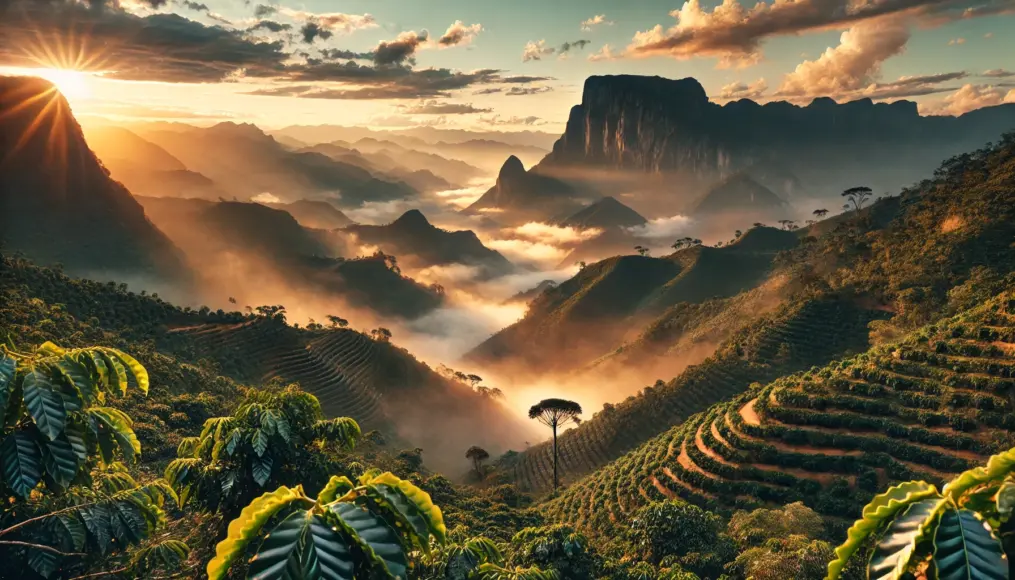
[(446, 348)]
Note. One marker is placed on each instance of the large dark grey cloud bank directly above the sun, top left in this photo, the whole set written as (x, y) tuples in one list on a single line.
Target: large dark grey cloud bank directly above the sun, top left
[(158, 47)]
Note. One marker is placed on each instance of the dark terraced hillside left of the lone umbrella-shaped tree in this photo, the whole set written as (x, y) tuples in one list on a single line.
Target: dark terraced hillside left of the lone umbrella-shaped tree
[(375, 382)]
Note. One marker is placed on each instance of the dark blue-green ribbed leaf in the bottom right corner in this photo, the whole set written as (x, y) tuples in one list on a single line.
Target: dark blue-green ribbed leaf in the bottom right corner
[(965, 549)]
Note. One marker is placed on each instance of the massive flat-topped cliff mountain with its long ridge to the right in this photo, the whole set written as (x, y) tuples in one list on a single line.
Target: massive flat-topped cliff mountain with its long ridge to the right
[(658, 125)]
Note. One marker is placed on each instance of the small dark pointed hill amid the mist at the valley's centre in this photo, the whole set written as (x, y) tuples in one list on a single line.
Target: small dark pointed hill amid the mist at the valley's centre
[(417, 242)]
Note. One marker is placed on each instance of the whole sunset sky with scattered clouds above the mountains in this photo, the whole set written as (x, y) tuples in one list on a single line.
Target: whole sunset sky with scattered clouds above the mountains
[(490, 66)]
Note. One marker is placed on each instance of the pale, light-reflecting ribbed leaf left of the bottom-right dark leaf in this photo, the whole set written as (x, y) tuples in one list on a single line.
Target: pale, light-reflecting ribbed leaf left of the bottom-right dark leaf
[(895, 550)]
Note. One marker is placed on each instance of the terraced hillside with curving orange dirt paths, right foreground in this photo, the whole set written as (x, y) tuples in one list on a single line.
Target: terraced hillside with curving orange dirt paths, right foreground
[(927, 408)]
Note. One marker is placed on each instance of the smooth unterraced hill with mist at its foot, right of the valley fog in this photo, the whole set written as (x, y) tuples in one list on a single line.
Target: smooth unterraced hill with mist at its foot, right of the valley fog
[(588, 316)]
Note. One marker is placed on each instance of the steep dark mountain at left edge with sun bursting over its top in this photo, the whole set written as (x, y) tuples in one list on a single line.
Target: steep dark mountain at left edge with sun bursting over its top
[(58, 204)]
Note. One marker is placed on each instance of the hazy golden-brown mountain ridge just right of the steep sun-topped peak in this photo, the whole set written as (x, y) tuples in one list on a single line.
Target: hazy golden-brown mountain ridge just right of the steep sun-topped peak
[(246, 162)]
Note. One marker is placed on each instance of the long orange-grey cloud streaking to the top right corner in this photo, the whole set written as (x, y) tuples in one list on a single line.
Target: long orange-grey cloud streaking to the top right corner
[(733, 33)]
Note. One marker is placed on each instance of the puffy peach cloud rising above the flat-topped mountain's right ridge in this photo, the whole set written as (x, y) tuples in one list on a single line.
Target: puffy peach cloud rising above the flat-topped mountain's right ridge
[(854, 65)]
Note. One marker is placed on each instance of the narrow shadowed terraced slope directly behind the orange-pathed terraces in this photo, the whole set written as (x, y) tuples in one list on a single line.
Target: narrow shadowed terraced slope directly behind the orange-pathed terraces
[(780, 344)]
